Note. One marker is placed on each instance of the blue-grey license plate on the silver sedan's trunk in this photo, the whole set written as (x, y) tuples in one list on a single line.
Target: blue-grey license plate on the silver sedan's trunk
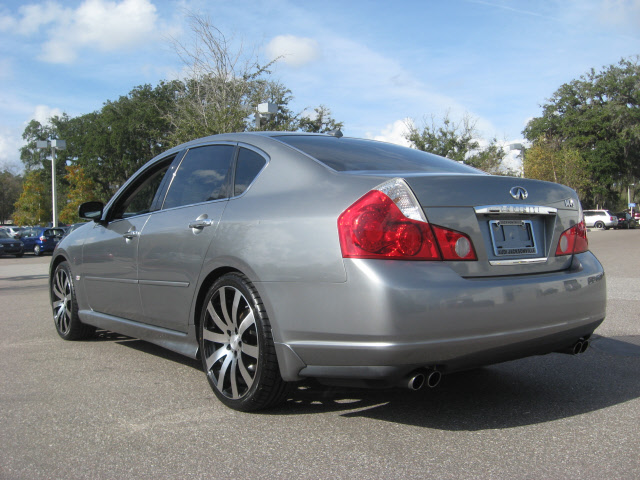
[(513, 237)]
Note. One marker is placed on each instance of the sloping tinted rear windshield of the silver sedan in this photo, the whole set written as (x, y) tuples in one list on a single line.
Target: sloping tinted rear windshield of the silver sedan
[(351, 154)]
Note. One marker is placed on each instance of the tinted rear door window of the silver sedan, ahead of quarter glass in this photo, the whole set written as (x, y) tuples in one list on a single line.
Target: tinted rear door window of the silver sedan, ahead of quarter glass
[(201, 177)]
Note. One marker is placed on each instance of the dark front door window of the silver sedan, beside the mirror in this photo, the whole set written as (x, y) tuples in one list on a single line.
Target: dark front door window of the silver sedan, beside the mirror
[(139, 197)]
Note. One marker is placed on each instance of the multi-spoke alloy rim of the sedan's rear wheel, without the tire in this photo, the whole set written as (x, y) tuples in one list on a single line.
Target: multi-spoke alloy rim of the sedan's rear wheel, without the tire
[(230, 341)]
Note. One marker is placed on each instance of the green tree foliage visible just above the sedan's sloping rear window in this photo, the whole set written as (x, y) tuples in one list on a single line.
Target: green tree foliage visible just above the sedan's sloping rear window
[(457, 141)]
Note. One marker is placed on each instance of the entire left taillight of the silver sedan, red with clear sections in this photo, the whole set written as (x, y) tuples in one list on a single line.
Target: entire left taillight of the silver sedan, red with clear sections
[(388, 222)]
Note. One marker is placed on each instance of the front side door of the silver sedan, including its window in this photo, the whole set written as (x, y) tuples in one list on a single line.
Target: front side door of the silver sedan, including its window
[(110, 253)]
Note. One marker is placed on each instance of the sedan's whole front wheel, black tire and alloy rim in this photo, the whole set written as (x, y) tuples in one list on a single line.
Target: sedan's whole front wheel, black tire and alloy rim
[(65, 306)]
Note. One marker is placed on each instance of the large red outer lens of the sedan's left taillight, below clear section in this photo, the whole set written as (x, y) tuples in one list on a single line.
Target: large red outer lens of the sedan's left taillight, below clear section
[(374, 227)]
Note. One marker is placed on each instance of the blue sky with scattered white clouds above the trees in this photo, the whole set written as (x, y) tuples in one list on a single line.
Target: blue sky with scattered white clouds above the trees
[(375, 64)]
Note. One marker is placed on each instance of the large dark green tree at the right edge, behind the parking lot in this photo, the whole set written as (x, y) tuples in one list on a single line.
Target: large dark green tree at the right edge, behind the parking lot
[(598, 115)]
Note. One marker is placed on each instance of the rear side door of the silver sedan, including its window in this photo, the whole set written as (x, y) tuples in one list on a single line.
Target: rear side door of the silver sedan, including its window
[(175, 239)]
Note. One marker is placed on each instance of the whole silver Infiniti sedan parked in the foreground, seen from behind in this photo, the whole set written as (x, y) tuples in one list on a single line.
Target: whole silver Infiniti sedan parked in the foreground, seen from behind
[(277, 257)]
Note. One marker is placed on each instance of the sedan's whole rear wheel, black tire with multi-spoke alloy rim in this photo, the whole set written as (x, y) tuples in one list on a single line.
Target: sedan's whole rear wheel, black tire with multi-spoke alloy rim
[(236, 346)]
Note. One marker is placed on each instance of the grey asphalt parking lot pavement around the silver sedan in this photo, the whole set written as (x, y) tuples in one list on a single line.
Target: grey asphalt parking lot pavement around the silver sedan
[(115, 407)]
